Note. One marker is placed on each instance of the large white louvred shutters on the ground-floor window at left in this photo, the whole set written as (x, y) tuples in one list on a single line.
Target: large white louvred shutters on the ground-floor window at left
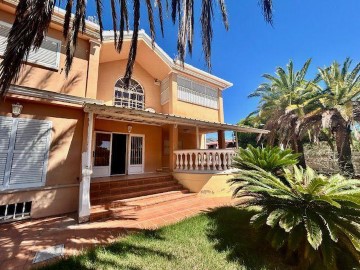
[(24, 152)]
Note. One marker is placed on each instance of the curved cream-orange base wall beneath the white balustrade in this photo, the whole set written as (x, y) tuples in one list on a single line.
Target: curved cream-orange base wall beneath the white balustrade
[(207, 185)]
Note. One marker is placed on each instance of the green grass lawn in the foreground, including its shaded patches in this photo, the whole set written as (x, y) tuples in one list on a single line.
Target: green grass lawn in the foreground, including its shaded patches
[(221, 239)]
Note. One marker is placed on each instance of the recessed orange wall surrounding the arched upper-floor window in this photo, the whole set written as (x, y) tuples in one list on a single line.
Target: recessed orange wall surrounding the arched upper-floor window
[(110, 72)]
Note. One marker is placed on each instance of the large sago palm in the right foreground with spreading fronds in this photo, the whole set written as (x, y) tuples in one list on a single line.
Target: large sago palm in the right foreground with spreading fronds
[(312, 218)]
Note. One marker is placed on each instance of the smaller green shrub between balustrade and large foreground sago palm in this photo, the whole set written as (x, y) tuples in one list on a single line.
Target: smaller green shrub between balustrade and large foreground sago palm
[(271, 159)]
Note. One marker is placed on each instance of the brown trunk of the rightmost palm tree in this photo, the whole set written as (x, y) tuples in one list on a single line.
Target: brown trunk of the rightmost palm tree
[(343, 147)]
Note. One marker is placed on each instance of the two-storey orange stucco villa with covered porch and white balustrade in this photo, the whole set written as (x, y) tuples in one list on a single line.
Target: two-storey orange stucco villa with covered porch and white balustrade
[(68, 144)]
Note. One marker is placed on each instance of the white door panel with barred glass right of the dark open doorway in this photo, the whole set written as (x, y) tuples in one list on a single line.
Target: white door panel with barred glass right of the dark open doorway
[(136, 154)]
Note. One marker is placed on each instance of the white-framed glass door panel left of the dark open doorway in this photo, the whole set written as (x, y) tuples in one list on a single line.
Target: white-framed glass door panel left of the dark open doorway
[(102, 154)]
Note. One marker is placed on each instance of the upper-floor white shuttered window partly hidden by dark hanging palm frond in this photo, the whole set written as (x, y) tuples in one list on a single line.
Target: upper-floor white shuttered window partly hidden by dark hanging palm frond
[(47, 55)]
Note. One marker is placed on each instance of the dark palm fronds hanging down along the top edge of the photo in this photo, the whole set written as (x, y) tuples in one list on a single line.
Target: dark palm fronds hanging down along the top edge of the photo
[(34, 16)]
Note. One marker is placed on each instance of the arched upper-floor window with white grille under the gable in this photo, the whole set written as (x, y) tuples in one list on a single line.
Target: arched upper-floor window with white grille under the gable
[(129, 97)]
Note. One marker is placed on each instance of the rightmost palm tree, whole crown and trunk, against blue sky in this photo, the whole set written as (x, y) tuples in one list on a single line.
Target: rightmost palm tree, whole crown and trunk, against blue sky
[(337, 108)]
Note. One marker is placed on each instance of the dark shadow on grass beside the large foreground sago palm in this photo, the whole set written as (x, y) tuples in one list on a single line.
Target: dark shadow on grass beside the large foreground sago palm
[(230, 231)]
